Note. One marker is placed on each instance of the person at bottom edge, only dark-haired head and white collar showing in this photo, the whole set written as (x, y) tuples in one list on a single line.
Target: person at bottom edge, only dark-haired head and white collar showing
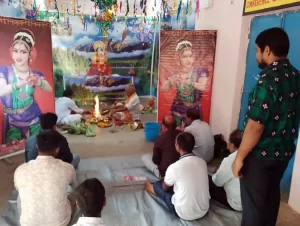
[(90, 200)]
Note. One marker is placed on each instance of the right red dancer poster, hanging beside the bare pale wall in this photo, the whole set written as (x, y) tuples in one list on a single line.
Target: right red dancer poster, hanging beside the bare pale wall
[(185, 75)]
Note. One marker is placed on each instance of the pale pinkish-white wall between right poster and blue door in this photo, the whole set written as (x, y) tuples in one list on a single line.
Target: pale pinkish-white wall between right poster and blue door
[(232, 39)]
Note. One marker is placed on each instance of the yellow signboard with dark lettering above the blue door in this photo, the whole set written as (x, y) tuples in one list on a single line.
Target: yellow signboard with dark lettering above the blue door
[(258, 6)]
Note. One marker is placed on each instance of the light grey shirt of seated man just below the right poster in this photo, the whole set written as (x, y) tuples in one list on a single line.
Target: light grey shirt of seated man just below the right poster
[(204, 138)]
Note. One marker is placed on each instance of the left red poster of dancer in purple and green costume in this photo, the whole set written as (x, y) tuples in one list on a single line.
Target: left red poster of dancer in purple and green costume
[(26, 77)]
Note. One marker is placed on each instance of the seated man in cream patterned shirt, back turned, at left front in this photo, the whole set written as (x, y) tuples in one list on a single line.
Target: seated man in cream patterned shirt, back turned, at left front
[(42, 185)]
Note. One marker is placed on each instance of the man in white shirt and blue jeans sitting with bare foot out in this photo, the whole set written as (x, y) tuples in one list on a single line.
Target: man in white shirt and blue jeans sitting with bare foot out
[(188, 175)]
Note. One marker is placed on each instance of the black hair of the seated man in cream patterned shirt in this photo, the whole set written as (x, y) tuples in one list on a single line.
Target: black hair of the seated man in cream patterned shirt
[(48, 141)]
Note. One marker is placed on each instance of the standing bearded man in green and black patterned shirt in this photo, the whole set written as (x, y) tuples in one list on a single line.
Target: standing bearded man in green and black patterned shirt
[(271, 126)]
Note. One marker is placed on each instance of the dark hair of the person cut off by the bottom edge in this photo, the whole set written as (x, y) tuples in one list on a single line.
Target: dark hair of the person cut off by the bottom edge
[(90, 197)]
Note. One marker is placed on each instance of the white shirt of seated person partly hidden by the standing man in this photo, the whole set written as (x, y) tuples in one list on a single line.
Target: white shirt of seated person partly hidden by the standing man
[(225, 178)]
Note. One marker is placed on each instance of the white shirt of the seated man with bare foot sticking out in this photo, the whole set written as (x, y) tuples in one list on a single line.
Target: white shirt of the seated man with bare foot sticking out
[(191, 188)]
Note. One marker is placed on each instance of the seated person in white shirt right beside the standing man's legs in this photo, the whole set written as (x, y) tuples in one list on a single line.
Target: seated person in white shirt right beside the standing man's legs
[(224, 186)]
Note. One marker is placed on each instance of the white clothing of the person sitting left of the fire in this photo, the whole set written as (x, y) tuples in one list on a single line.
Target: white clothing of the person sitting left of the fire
[(63, 108)]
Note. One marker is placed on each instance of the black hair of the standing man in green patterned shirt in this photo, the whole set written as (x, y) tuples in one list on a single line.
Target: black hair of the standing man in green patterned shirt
[(277, 39)]
